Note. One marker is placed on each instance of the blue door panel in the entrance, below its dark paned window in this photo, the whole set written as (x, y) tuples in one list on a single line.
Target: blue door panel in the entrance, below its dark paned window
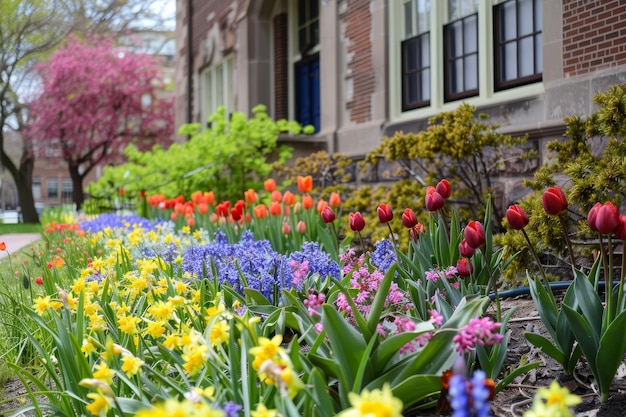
[(307, 75)]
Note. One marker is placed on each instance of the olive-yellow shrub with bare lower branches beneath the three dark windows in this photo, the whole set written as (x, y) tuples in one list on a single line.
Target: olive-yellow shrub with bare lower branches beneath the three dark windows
[(458, 145)]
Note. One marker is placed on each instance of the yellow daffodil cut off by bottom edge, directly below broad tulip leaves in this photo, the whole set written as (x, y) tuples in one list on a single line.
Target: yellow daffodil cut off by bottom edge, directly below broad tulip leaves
[(375, 403)]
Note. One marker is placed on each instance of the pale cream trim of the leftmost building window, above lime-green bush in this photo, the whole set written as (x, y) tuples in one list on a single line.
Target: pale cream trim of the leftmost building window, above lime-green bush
[(208, 99)]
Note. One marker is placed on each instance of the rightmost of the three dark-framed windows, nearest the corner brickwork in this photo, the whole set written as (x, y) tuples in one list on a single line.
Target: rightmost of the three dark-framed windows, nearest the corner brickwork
[(517, 42)]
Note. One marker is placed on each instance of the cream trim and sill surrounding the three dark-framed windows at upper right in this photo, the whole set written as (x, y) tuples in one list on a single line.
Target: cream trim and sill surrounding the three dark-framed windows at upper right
[(438, 17)]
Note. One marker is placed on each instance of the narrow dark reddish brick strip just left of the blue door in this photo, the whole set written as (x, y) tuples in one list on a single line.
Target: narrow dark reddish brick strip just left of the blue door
[(281, 69)]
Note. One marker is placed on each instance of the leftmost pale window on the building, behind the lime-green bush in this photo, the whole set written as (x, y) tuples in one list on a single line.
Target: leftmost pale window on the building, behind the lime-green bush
[(216, 83)]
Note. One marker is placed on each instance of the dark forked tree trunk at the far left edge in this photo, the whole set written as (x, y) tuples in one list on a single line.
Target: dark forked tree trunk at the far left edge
[(23, 178)]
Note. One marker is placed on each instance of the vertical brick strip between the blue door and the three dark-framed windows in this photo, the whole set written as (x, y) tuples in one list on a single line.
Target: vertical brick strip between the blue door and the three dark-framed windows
[(358, 26)]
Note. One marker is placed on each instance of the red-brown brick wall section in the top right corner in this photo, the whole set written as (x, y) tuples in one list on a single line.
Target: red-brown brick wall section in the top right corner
[(594, 35)]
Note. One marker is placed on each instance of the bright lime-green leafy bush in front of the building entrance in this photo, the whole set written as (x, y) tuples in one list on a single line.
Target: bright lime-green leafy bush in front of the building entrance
[(229, 157)]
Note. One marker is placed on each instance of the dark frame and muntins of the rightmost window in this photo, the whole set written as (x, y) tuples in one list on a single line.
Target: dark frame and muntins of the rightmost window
[(498, 61)]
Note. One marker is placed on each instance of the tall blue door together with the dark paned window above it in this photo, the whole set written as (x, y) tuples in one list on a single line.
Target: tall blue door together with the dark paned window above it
[(307, 64)]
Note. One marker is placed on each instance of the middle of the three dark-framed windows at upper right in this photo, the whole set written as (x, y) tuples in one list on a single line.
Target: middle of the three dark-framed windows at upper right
[(461, 58)]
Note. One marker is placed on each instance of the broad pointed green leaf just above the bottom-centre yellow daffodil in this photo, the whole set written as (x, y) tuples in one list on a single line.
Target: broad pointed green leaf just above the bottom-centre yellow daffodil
[(346, 342)]
